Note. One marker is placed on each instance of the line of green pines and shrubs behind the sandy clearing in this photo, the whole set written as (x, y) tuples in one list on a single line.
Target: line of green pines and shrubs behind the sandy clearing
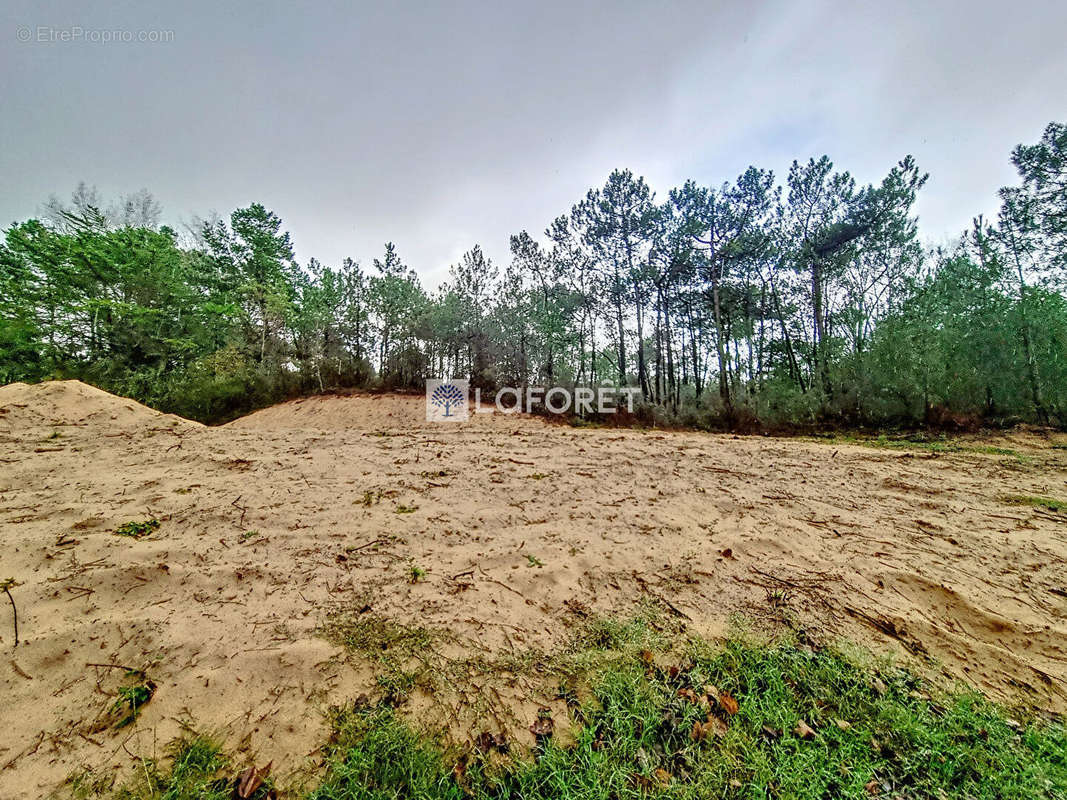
[(803, 302)]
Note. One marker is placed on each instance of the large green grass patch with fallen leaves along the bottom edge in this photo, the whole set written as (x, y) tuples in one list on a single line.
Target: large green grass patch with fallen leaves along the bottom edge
[(750, 722)]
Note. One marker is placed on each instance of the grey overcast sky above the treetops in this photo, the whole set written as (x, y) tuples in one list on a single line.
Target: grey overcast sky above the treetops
[(442, 125)]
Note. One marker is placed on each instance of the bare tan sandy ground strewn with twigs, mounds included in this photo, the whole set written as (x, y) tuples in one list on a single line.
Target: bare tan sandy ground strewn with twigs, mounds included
[(265, 526)]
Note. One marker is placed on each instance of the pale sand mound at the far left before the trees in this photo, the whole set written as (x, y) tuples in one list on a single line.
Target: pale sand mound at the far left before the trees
[(66, 404)]
